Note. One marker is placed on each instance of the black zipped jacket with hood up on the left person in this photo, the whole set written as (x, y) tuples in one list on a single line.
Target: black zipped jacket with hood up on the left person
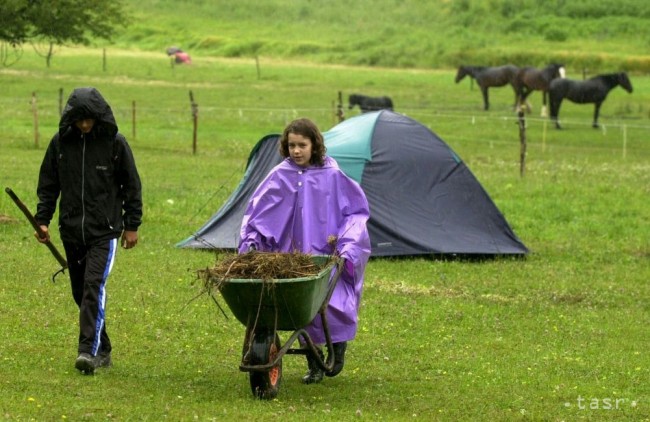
[(94, 173)]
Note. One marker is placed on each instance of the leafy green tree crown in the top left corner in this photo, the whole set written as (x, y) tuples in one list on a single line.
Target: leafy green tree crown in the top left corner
[(53, 24)]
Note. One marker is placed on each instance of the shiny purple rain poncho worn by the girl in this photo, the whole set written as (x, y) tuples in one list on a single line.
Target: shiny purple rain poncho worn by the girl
[(297, 209)]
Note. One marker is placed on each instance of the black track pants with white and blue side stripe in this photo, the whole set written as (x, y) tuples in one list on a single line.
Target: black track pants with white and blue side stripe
[(89, 267)]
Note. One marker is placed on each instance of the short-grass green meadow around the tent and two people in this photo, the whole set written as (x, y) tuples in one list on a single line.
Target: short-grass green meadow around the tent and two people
[(560, 335)]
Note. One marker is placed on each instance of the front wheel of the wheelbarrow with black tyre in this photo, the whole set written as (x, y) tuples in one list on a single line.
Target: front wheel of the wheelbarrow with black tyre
[(264, 349)]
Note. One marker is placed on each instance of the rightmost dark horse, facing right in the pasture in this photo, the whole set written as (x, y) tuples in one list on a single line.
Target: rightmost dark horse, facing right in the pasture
[(592, 90)]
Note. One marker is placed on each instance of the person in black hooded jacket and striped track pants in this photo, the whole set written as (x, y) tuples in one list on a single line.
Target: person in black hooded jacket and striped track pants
[(91, 167)]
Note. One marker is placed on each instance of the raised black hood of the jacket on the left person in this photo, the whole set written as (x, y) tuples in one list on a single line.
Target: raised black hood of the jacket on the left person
[(86, 103)]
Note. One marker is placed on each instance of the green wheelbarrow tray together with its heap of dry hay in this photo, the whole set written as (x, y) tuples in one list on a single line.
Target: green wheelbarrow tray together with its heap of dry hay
[(280, 290)]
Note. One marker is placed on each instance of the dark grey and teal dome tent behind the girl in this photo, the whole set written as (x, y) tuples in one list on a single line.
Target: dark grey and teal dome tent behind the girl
[(423, 198)]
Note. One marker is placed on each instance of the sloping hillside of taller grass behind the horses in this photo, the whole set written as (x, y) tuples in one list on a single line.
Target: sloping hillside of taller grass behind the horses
[(593, 34)]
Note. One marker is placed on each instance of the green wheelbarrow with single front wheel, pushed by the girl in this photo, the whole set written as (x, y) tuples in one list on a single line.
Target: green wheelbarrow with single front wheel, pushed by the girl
[(268, 306)]
